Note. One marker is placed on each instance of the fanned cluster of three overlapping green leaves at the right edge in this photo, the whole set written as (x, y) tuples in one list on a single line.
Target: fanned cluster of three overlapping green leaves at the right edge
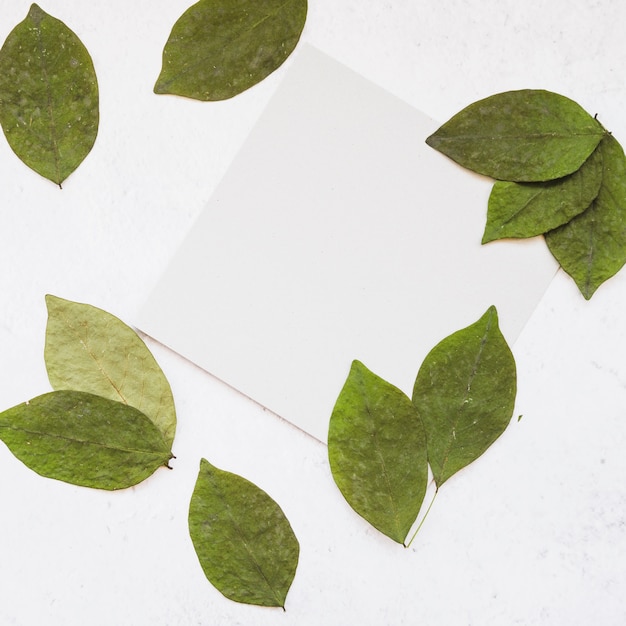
[(560, 174)]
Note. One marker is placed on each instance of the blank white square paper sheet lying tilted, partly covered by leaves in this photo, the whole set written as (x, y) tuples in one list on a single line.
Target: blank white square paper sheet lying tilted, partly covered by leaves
[(337, 234)]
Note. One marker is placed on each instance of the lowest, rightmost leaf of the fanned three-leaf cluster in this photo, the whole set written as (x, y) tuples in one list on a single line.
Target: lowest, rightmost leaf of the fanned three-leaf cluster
[(592, 247)]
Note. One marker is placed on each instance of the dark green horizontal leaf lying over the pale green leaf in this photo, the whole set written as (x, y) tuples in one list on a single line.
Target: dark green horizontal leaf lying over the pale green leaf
[(84, 439)]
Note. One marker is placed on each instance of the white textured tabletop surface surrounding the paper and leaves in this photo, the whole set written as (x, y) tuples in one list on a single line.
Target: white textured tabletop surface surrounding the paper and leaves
[(532, 533)]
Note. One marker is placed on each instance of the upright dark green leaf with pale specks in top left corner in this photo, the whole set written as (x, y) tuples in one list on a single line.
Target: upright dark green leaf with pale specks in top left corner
[(48, 96)]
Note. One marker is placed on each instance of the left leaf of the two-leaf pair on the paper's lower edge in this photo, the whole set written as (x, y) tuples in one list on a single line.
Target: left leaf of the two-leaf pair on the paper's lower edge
[(377, 452)]
